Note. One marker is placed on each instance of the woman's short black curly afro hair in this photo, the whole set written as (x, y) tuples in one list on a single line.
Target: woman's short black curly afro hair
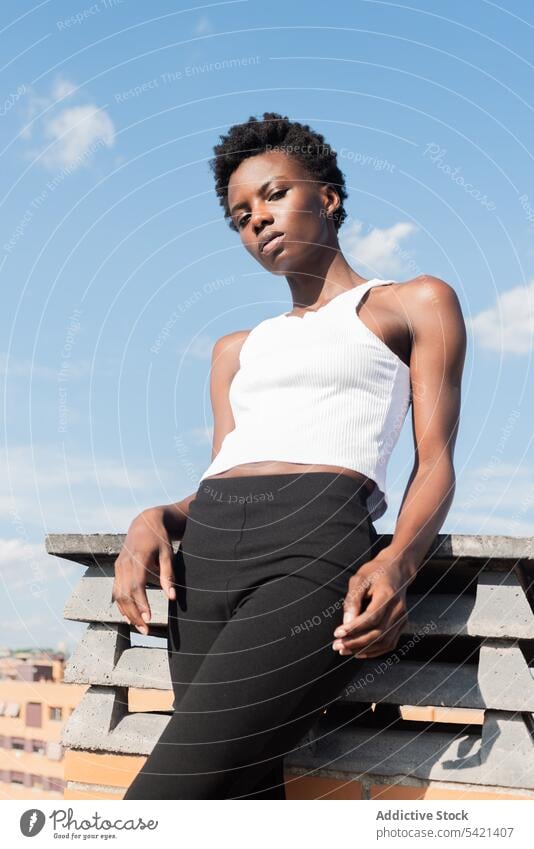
[(276, 132)]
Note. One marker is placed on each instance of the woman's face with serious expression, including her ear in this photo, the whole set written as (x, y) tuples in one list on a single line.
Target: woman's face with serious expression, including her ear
[(273, 193)]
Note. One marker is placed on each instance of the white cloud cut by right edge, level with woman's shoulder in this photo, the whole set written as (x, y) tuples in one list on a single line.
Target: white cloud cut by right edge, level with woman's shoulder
[(508, 325)]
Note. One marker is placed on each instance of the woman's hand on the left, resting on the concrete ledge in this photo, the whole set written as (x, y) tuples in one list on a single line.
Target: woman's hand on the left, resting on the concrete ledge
[(146, 554)]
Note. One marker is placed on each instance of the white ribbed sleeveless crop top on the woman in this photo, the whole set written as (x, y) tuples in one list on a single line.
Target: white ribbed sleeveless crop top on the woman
[(321, 388)]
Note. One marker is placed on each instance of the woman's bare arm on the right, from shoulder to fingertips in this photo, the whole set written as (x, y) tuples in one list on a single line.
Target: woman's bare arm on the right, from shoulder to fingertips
[(375, 610)]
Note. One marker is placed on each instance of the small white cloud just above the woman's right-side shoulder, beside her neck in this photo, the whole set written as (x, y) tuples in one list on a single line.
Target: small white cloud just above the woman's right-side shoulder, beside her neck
[(380, 249)]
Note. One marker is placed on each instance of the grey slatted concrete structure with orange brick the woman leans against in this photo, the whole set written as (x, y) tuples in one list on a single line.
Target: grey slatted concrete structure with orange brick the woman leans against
[(448, 714)]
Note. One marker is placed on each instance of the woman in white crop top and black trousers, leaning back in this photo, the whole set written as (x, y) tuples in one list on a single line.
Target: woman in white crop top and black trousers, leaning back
[(278, 585)]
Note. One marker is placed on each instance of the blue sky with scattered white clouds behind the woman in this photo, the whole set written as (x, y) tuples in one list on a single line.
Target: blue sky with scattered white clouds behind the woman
[(118, 272)]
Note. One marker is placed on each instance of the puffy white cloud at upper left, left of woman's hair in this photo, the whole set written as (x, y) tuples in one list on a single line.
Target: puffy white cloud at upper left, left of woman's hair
[(67, 137)]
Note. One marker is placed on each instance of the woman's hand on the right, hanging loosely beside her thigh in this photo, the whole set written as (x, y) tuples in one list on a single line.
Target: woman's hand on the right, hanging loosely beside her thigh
[(374, 609)]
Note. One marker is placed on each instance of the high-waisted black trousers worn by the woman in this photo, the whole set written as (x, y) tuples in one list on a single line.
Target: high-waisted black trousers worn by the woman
[(260, 578)]
